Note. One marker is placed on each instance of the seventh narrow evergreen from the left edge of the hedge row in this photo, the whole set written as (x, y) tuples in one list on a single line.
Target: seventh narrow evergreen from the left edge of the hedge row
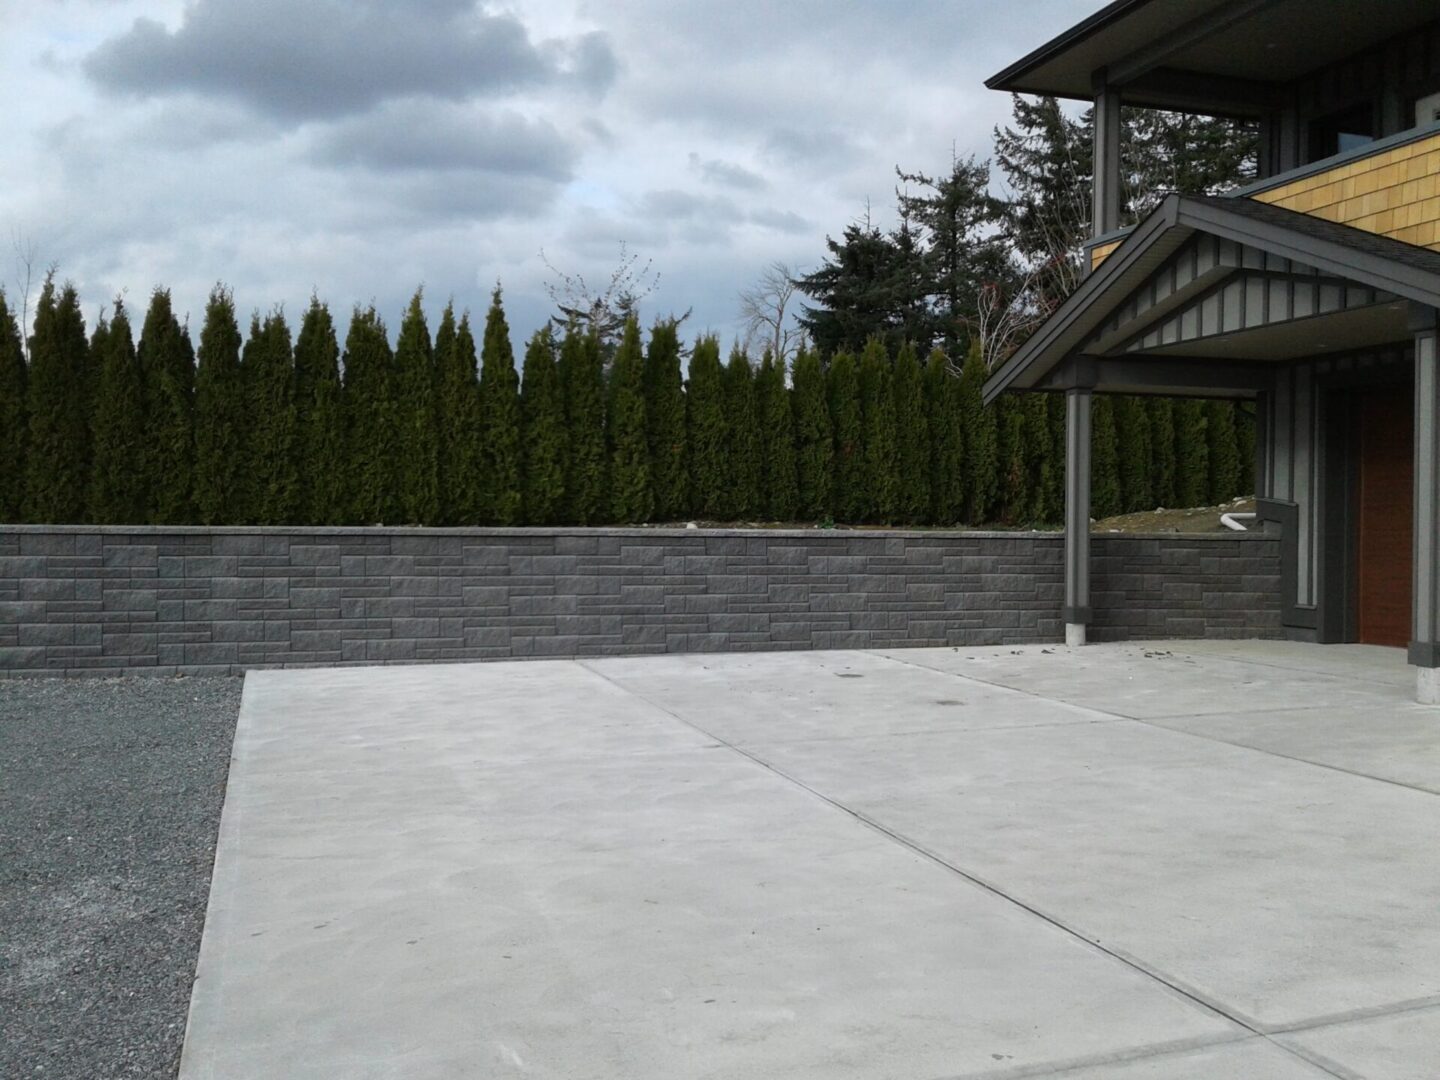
[(320, 423)]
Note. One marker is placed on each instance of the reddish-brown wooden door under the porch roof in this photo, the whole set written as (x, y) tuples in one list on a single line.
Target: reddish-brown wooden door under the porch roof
[(1386, 516)]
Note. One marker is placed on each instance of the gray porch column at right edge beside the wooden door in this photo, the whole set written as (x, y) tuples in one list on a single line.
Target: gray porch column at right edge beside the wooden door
[(1425, 644)]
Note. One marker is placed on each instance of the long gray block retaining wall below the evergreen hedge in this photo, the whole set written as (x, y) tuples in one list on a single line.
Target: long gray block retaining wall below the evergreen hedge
[(205, 601)]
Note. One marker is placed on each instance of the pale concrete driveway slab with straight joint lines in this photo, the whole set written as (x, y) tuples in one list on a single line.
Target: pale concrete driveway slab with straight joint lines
[(1187, 860)]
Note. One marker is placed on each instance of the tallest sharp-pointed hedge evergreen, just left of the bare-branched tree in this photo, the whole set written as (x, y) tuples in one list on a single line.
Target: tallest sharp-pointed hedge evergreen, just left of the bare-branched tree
[(500, 421)]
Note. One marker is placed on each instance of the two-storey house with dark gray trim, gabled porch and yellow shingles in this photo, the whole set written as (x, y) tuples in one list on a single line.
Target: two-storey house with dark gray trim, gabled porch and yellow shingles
[(1313, 292)]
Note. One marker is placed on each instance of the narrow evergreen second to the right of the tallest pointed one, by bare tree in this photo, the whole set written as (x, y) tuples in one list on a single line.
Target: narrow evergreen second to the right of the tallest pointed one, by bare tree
[(582, 382)]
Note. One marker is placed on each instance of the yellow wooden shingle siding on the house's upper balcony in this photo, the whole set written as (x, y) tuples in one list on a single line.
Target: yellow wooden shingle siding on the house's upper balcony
[(1396, 194)]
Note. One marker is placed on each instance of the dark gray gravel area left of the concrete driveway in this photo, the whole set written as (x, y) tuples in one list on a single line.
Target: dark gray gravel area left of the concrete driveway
[(110, 801)]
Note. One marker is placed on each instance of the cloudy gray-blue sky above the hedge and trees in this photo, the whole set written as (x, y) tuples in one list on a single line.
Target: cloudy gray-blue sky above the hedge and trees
[(364, 148)]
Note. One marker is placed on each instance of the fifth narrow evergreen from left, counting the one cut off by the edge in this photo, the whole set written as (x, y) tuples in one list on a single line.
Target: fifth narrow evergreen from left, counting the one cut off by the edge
[(220, 415)]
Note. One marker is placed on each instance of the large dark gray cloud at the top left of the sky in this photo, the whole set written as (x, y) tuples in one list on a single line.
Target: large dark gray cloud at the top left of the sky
[(305, 60)]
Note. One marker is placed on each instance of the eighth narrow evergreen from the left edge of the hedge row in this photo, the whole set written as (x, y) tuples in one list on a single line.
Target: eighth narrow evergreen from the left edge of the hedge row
[(371, 430)]
